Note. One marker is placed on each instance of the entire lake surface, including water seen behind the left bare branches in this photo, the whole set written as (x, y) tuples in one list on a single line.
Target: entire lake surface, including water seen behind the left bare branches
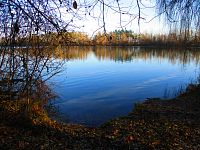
[(96, 83)]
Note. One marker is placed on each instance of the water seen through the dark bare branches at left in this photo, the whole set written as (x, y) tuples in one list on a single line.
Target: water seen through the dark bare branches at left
[(23, 72)]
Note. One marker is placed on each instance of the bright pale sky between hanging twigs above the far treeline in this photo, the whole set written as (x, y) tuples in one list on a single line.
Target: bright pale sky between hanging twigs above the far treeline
[(112, 19)]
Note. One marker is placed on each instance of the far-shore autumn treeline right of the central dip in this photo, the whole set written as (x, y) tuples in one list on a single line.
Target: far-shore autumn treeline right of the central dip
[(129, 38)]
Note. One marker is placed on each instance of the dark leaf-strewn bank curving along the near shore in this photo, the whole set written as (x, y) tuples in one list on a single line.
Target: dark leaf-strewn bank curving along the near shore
[(154, 124)]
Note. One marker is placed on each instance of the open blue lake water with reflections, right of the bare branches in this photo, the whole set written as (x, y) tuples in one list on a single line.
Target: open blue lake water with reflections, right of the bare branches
[(100, 83)]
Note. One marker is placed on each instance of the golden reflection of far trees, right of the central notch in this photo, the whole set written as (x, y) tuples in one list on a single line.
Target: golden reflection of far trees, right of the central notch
[(129, 54)]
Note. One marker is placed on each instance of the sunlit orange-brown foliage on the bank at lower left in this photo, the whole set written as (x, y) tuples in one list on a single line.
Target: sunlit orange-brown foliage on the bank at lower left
[(31, 110)]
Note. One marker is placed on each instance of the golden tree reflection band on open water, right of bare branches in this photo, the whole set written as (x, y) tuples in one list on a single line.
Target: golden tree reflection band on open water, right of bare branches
[(122, 54)]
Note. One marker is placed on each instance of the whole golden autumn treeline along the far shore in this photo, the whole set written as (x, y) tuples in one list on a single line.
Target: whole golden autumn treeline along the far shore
[(115, 38)]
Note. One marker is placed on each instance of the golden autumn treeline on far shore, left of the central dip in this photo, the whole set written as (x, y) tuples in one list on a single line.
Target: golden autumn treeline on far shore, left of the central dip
[(51, 38)]
